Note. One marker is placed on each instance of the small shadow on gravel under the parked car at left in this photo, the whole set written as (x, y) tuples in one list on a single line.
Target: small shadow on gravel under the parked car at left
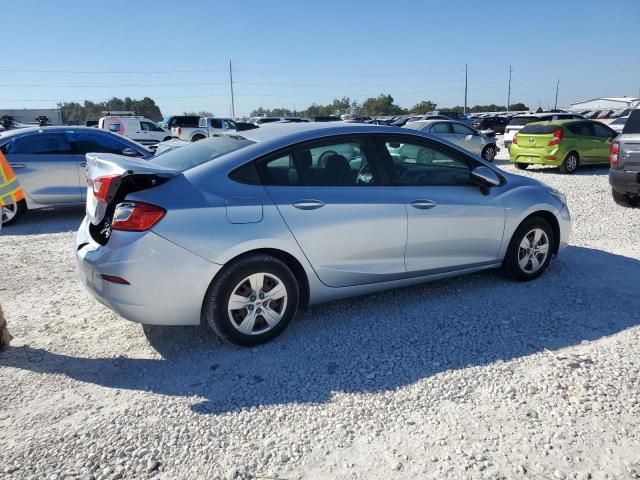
[(46, 221)]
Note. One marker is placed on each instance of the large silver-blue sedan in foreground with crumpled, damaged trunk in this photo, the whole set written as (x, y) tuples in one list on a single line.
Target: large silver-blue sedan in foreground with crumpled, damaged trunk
[(240, 231)]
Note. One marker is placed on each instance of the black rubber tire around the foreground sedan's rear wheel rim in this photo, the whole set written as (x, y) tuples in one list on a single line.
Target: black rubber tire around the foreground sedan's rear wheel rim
[(215, 306)]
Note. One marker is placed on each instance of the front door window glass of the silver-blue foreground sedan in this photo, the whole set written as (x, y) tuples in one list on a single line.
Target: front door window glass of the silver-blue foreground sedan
[(424, 164)]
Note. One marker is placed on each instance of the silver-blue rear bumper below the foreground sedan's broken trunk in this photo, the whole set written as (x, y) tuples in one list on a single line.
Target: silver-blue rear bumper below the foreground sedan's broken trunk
[(167, 284)]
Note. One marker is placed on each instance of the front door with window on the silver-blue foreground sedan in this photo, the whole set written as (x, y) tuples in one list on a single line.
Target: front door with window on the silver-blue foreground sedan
[(452, 225)]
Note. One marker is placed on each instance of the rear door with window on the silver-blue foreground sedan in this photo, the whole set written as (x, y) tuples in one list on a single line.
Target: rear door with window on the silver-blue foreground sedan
[(350, 226)]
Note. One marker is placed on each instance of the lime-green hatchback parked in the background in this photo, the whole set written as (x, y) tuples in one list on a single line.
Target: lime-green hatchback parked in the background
[(563, 143)]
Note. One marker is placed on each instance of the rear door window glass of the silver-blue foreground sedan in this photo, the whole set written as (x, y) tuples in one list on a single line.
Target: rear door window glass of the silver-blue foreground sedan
[(327, 164)]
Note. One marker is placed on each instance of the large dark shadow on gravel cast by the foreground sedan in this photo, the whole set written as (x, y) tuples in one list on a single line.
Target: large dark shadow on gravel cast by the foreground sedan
[(376, 343)]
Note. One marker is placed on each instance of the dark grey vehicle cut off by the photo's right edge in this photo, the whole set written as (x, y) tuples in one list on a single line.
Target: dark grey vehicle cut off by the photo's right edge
[(624, 175)]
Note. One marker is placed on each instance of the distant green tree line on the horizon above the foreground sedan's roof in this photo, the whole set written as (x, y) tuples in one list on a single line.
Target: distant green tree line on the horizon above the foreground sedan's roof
[(375, 106)]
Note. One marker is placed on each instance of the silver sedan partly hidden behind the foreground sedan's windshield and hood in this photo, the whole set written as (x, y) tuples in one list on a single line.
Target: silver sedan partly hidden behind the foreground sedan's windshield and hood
[(462, 135)]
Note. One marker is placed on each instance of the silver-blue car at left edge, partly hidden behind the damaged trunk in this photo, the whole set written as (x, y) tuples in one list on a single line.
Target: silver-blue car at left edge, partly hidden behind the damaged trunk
[(50, 163)]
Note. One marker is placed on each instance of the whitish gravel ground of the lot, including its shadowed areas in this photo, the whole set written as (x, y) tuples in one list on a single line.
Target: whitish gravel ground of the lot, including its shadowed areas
[(474, 377)]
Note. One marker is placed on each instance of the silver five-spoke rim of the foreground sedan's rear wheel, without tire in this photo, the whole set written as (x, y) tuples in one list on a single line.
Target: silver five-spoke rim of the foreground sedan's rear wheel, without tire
[(257, 303)]
